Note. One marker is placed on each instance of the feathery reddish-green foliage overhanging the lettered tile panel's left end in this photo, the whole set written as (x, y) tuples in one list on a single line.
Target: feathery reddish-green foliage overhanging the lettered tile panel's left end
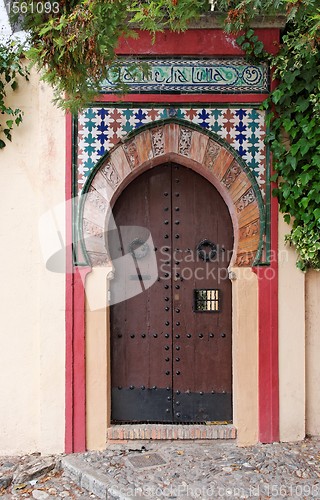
[(75, 46)]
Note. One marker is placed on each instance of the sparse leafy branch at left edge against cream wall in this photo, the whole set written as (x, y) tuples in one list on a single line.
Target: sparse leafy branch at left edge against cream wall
[(10, 69)]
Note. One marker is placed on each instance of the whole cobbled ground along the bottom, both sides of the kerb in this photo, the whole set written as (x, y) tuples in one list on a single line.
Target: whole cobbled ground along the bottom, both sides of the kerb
[(180, 469)]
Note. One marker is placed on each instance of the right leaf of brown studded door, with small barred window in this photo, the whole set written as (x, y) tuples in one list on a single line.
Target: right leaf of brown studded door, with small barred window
[(202, 382)]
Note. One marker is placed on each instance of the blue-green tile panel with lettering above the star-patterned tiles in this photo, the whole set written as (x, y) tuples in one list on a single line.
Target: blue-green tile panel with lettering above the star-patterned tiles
[(187, 75)]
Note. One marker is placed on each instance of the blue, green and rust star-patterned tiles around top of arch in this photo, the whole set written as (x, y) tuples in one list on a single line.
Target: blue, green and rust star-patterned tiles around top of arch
[(100, 128)]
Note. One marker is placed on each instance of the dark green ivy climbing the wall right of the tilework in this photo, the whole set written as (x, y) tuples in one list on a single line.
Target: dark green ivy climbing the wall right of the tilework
[(294, 125)]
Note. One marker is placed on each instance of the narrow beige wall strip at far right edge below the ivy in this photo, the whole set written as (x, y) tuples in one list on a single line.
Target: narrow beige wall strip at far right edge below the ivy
[(312, 352)]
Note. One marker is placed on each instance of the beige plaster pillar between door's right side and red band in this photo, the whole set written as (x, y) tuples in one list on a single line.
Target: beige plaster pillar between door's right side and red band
[(245, 354)]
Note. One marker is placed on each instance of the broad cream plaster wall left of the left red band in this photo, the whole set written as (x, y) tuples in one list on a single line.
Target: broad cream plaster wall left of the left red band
[(32, 299)]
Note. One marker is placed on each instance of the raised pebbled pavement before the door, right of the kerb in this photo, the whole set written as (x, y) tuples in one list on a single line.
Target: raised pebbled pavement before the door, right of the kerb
[(212, 469)]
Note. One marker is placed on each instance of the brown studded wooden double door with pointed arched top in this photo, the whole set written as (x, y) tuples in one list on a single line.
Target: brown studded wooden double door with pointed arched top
[(171, 344)]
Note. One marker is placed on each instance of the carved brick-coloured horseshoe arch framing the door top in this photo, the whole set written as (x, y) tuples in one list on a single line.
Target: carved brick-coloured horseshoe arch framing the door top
[(187, 145)]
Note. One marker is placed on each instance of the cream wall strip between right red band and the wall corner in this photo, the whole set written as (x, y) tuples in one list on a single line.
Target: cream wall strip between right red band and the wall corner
[(291, 342)]
